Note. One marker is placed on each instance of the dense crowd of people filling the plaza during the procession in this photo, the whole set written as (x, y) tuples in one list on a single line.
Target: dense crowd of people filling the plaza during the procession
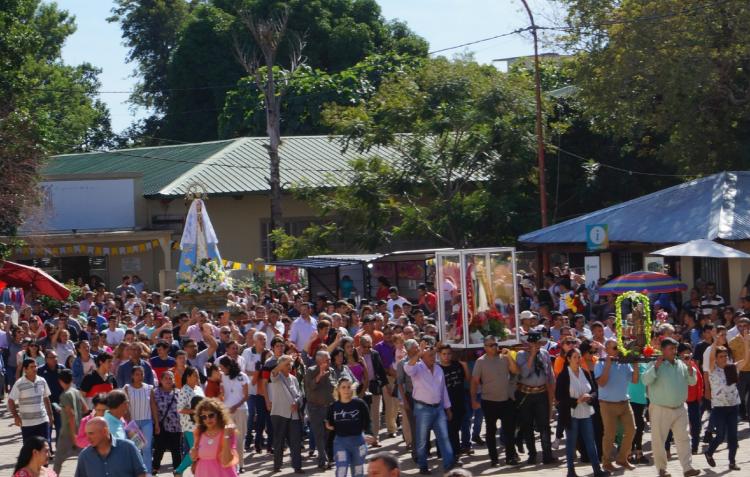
[(121, 378)]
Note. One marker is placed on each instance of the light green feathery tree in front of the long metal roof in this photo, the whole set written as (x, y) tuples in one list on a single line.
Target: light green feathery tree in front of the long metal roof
[(459, 170)]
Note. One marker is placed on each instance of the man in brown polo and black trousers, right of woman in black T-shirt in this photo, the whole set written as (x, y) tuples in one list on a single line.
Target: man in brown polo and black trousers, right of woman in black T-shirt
[(492, 372)]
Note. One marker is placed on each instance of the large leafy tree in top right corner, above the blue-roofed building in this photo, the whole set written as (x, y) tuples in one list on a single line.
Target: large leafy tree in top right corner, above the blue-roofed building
[(669, 77)]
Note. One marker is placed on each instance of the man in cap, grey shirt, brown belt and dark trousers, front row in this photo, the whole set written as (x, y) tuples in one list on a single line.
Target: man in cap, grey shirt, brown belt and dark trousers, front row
[(533, 403)]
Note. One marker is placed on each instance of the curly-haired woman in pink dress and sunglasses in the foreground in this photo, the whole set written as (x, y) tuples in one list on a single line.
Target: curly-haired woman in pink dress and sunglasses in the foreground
[(214, 453)]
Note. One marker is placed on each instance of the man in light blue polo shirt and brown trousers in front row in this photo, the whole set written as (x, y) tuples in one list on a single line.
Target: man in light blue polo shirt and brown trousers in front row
[(613, 378)]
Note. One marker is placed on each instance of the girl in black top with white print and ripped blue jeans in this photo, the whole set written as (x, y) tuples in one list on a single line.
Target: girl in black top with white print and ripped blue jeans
[(349, 419)]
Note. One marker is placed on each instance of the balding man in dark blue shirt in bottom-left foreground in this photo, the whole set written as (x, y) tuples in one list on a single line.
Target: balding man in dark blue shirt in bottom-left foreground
[(108, 456)]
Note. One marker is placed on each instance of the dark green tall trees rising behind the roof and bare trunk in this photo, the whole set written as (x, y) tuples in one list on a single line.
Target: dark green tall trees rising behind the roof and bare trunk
[(185, 56)]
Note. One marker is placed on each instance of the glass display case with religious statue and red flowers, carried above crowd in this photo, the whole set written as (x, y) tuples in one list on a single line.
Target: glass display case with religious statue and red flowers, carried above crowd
[(477, 295)]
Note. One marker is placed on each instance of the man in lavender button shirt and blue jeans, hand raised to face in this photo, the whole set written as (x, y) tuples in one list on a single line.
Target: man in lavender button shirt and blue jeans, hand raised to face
[(432, 407)]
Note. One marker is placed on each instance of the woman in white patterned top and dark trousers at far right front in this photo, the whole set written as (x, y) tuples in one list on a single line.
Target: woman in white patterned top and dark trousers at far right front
[(725, 401)]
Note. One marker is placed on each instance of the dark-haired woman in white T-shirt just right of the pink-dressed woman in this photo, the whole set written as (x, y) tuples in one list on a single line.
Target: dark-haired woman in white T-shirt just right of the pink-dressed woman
[(235, 390)]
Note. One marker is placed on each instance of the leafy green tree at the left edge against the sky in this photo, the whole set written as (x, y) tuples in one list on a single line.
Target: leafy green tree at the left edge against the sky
[(45, 106)]
